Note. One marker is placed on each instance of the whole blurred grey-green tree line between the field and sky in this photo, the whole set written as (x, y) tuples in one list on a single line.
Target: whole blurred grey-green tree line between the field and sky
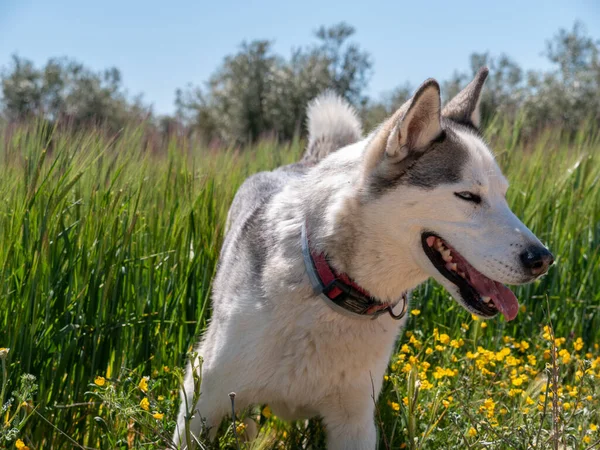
[(256, 92)]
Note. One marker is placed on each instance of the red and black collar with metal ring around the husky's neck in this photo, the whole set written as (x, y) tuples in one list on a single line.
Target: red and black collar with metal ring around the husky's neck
[(339, 290)]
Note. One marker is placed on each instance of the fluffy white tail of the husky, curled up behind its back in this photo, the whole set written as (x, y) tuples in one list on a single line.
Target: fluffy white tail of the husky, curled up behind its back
[(332, 124)]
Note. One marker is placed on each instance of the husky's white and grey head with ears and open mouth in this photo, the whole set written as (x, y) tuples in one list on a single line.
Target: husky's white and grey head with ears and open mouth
[(441, 197)]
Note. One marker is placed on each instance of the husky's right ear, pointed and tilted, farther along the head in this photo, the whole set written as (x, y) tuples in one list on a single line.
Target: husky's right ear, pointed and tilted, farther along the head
[(464, 107)]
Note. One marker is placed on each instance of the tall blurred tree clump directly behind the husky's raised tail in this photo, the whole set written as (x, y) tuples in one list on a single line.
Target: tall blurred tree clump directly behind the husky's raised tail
[(255, 92)]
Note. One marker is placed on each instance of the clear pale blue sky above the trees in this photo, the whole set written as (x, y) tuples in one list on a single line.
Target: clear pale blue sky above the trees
[(160, 46)]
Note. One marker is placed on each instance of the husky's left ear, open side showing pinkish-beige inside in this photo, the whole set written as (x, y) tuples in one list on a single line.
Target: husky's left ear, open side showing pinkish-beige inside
[(416, 128)]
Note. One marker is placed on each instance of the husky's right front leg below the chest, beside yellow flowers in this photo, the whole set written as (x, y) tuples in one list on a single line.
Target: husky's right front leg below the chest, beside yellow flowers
[(351, 429)]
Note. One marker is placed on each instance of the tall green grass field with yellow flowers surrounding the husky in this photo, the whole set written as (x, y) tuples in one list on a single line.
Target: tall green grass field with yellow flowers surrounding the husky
[(108, 245)]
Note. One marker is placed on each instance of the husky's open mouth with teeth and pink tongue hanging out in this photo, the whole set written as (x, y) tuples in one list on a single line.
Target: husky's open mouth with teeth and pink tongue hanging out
[(479, 292)]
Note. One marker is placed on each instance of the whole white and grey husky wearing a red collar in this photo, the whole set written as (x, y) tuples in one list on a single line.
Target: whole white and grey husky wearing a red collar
[(319, 257)]
